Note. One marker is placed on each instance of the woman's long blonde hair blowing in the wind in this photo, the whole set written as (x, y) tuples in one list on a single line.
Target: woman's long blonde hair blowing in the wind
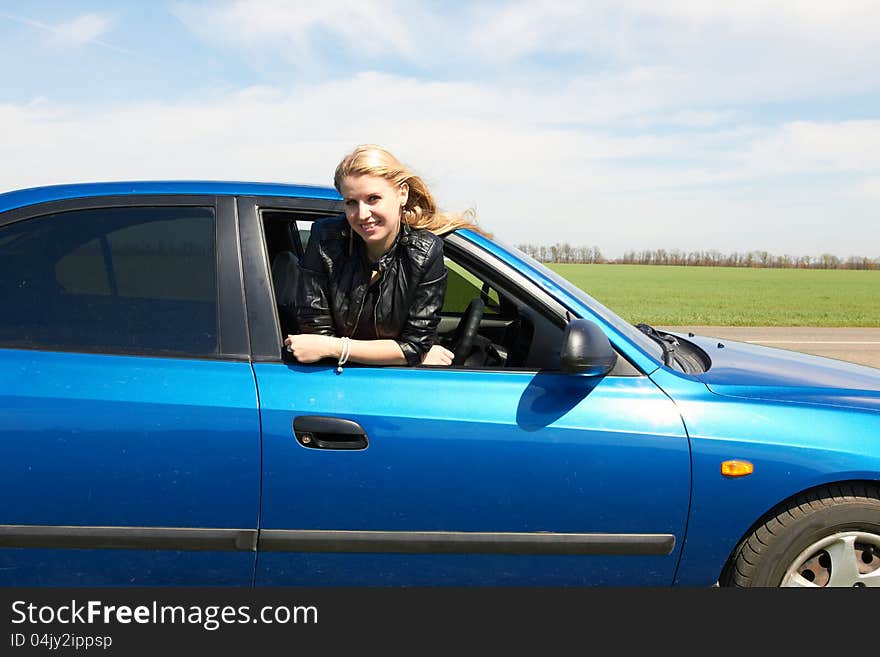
[(420, 210)]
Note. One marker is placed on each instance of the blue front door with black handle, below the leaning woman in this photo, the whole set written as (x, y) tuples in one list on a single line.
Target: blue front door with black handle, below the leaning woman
[(442, 476)]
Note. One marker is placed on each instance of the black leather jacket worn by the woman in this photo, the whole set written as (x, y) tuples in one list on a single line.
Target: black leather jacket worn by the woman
[(335, 277)]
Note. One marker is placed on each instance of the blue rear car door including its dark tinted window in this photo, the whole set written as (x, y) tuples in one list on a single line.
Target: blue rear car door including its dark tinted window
[(129, 448)]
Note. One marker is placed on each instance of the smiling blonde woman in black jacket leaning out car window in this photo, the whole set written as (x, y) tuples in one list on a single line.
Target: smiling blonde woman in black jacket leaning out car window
[(372, 281)]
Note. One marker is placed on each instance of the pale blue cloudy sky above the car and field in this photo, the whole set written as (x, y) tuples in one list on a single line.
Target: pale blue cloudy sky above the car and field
[(626, 125)]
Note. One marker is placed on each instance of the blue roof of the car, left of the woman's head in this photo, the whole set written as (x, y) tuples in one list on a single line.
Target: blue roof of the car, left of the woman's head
[(24, 197)]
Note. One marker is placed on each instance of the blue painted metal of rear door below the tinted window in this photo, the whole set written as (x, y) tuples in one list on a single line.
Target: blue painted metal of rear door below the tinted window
[(92, 440)]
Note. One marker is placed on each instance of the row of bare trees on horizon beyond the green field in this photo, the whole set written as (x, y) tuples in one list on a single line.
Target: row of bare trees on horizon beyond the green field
[(566, 253)]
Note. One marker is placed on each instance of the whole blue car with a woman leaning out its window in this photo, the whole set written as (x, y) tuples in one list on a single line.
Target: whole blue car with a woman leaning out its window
[(155, 433)]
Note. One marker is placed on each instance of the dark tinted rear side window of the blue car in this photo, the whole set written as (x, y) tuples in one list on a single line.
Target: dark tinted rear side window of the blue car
[(117, 280)]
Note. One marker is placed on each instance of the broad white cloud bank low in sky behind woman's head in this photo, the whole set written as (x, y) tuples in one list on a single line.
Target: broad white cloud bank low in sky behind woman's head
[(730, 187)]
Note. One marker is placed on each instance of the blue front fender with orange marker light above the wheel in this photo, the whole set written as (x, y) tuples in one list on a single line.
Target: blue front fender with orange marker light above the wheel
[(794, 447)]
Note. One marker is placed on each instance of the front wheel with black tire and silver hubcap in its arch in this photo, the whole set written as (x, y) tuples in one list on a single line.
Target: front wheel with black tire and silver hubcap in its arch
[(827, 537)]
